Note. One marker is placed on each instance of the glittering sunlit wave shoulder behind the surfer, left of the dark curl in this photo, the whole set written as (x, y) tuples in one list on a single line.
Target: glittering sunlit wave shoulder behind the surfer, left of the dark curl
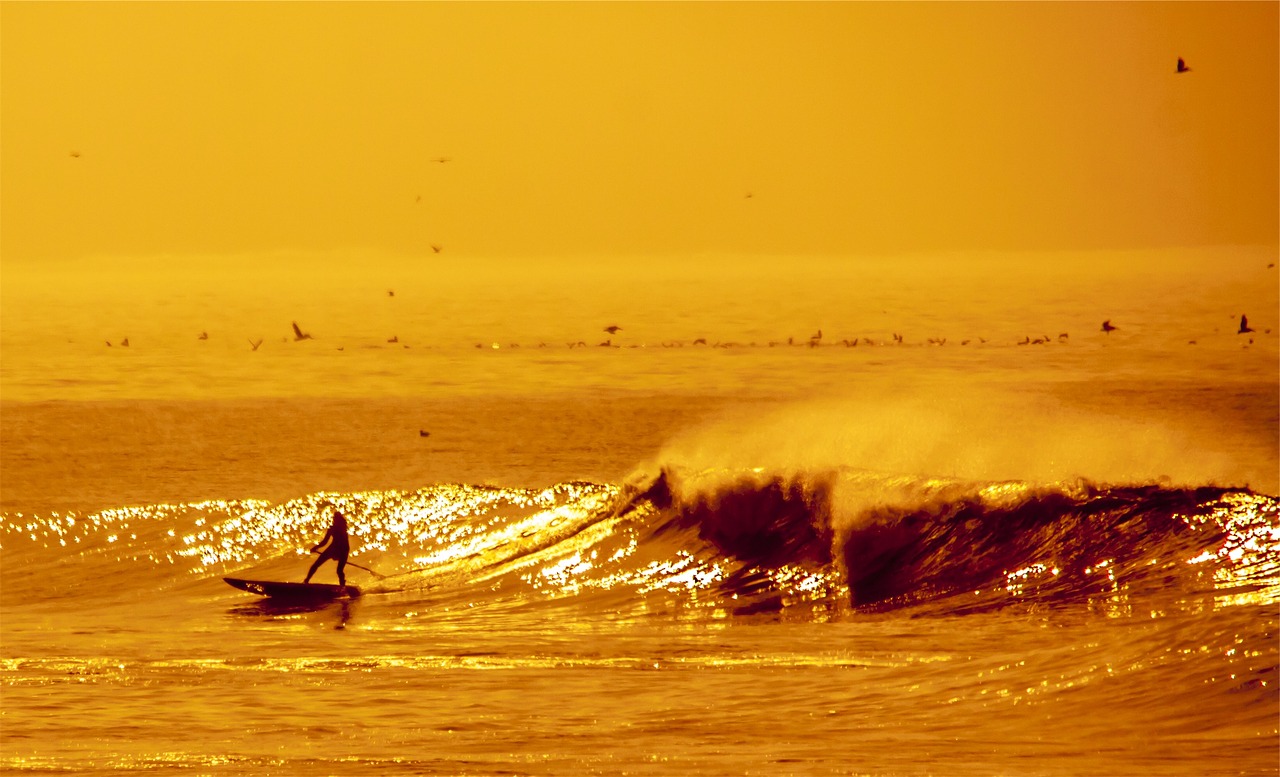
[(400, 531)]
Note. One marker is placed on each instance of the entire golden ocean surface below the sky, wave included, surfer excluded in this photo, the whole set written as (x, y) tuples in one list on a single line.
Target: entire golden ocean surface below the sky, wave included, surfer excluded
[(912, 515)]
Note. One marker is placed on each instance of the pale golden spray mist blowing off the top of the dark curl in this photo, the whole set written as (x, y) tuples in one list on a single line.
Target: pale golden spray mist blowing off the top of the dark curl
[(973, 433)]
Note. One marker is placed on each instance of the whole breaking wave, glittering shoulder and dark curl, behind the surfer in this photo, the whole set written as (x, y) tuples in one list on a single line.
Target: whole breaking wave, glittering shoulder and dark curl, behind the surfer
[(739, 542)]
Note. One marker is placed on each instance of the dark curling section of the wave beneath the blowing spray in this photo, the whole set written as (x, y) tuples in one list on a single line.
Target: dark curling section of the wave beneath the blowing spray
[(895, 542)]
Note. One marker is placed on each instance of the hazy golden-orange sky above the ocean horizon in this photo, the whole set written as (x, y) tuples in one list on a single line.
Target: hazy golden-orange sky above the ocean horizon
[(636, 129)]
